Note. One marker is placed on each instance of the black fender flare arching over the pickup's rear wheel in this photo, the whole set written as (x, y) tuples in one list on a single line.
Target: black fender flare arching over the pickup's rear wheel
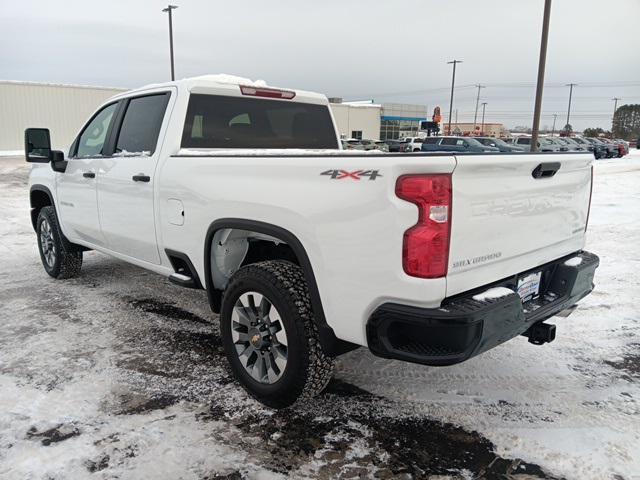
[(331, 344)]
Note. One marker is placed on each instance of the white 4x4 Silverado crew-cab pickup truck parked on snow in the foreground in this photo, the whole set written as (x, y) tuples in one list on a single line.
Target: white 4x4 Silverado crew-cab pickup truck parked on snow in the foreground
[(308, 251)]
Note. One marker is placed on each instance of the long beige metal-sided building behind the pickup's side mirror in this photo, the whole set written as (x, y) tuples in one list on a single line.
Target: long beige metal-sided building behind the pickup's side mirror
[(63, 109)]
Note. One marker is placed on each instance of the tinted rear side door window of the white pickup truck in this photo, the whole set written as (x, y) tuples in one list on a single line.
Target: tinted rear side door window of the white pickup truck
[(141, 124)]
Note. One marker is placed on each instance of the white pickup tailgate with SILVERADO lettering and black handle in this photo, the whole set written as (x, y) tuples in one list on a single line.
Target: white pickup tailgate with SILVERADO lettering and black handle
[(506, 221)]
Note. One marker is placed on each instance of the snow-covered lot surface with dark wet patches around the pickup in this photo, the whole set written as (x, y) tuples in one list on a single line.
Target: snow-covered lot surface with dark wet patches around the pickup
[(118, 373)]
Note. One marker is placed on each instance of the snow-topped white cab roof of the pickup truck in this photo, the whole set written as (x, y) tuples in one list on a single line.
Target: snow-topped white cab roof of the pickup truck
[(224, 84)]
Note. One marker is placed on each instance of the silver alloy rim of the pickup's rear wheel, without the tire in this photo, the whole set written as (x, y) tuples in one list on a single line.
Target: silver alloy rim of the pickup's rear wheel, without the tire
[(259, 337)]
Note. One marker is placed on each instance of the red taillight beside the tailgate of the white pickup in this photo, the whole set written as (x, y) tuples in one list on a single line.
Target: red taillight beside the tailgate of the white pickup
[(425, 249)]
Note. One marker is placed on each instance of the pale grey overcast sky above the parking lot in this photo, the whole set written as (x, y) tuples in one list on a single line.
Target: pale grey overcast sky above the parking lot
[(355, 49)]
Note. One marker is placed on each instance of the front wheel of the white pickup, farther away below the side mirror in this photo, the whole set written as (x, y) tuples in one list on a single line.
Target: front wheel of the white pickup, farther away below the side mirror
[(66, 260)]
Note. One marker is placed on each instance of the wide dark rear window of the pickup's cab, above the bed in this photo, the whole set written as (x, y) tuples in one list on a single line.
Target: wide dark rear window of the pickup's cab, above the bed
[(215, 121)]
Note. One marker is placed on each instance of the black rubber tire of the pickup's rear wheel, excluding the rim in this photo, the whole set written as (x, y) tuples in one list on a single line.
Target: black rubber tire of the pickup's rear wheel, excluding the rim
[(308, 369)]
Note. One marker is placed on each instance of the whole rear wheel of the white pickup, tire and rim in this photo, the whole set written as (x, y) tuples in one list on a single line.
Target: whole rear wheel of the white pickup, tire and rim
[(269, 334)]
